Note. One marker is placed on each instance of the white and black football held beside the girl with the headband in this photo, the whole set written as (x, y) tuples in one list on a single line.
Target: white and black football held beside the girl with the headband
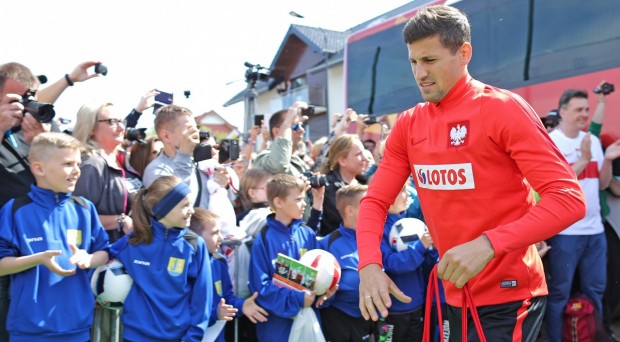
[(111, 284)]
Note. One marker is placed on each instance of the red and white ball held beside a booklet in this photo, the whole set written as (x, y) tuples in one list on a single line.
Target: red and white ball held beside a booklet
[(328, 268)]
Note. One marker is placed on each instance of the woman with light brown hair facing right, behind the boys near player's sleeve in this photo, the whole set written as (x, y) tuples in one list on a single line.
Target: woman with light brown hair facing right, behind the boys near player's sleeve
[(345, 165)]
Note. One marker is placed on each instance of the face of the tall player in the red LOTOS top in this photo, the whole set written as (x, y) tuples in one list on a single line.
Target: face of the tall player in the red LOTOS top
[(436, 69)]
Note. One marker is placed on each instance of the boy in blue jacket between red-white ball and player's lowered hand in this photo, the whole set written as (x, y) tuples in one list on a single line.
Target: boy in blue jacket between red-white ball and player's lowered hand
[(341, 315)]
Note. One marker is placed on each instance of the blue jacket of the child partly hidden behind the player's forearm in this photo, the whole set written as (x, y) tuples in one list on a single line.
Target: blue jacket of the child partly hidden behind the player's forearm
[(405, 268)]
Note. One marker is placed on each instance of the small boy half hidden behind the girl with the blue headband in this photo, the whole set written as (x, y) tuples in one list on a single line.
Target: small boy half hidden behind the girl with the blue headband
[(226, 305)]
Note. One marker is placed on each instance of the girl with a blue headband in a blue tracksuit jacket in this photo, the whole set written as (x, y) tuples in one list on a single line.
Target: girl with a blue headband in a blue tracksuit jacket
[(171, 296)]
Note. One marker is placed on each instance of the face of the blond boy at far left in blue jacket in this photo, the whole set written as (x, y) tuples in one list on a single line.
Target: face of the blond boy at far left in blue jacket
[(60, 171)]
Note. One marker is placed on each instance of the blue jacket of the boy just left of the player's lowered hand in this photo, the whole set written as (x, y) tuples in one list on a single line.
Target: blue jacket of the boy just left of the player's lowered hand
[(344, 249)]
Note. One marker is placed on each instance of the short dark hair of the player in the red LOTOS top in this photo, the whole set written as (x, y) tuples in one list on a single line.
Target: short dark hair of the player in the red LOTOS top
[(448, 22)]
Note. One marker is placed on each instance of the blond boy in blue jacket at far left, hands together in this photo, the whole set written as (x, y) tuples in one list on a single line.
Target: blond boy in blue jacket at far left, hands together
[(48, 241)]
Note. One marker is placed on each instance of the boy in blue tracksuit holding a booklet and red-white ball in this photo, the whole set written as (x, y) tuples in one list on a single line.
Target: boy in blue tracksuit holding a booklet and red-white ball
[(284, 233)]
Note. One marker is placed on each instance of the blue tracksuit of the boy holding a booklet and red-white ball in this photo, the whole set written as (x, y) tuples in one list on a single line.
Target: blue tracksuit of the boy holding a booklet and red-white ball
[(281, 303)]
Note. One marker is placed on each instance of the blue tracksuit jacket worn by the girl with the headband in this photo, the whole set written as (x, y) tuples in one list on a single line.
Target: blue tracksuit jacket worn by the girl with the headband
[(172, 292)]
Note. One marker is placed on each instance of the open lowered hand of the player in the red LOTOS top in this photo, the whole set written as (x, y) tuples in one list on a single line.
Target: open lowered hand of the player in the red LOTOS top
[(375, 290)]
